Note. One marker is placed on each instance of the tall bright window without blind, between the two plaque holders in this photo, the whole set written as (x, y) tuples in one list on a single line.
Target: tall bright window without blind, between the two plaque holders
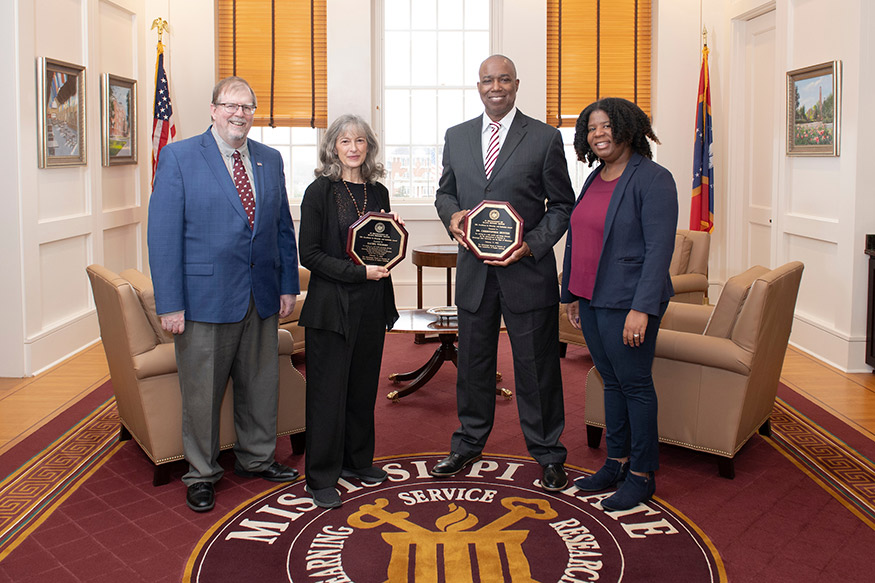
[(431, 54)]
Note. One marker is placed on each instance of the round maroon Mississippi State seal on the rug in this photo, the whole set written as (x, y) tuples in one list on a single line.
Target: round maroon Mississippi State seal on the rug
[(492, 522)]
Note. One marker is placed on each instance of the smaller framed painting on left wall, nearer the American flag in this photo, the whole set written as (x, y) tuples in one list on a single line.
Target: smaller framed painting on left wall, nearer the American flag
[(118, 120)]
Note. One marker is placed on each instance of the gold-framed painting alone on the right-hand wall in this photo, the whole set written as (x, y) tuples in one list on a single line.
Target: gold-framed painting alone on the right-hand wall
[(814, 109)]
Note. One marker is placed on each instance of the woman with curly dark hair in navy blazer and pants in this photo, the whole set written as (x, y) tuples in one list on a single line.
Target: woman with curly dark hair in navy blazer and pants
[(617, 284)]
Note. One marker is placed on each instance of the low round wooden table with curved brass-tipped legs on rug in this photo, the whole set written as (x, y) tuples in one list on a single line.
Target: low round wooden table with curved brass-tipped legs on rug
[(421, 322)]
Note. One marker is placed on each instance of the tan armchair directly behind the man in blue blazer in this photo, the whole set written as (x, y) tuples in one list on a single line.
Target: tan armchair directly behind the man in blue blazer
[(142, 367)]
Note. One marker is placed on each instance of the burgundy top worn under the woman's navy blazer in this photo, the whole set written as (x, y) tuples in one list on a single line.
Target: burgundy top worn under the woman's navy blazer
[(588, 232)]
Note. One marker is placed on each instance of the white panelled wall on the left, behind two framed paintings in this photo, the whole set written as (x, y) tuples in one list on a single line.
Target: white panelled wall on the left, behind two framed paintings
[(56, 221)]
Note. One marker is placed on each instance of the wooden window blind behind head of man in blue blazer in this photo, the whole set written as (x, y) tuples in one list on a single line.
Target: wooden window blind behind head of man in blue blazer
[(279, 47)]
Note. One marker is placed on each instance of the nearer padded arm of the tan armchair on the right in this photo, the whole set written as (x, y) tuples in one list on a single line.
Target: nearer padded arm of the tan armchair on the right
[(703, 350)]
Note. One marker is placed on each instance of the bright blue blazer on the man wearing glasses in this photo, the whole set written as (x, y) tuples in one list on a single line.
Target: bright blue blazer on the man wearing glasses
[(203, 256)]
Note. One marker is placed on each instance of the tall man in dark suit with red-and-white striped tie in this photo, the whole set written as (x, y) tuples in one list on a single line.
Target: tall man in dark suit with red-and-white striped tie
[(529, 172)]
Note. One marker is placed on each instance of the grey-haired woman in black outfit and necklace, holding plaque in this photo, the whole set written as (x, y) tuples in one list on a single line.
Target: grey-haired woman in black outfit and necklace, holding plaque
[(346, 313)]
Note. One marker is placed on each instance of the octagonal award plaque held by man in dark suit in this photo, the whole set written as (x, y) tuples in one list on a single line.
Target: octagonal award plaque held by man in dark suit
[(493, 231)]
